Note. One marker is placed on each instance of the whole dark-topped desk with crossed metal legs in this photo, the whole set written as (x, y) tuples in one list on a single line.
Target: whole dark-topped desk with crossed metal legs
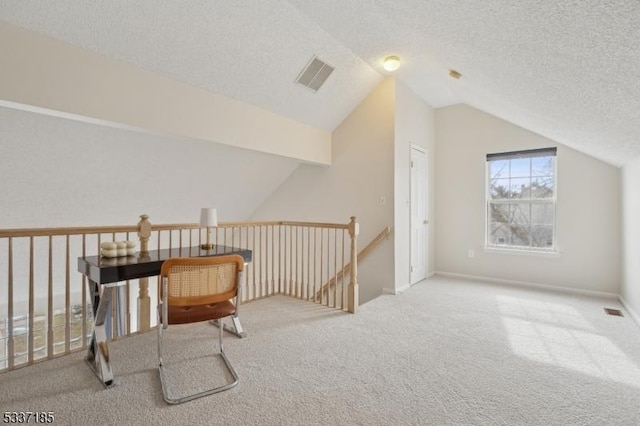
[(110, 273)]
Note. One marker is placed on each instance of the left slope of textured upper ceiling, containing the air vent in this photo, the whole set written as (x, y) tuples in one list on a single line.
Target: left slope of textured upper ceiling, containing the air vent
[(250, 50)]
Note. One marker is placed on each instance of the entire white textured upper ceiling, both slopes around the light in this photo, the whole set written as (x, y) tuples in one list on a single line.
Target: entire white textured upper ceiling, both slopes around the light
[(568, 70)]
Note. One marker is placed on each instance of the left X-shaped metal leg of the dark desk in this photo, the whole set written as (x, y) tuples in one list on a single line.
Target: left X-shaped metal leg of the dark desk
[(98, 353)]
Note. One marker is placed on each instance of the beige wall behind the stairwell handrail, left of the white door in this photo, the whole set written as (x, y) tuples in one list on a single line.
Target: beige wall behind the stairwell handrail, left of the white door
[(361, 172)]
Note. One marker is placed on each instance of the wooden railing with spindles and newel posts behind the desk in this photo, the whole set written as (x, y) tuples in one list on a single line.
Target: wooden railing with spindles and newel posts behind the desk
[(45, 308)]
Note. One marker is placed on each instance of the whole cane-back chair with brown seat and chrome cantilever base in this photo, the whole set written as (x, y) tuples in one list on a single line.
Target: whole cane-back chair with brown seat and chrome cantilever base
[(194, 290)]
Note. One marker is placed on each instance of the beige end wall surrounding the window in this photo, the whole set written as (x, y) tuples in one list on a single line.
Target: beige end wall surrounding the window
[(587, 221)]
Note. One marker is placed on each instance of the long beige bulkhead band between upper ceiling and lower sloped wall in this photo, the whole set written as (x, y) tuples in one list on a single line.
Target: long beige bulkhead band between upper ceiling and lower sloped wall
[(41, 72)]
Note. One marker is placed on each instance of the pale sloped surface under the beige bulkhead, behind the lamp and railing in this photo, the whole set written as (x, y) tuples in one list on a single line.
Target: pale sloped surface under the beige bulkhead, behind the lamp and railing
[(58, 172)]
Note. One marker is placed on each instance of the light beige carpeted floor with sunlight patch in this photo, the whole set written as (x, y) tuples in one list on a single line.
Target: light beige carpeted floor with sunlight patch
[(446, 352)]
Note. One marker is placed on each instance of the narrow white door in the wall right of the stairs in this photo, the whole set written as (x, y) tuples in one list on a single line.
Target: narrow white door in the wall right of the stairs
[(419, 219)]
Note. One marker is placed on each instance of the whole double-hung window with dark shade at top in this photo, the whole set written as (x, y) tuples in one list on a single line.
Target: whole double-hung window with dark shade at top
[(521, 200)]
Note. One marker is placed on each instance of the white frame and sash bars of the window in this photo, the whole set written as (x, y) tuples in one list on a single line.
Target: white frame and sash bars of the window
[(513, 249)]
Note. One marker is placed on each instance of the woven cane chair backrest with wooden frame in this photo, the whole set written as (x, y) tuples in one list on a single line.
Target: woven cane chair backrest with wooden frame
[(194, 281)]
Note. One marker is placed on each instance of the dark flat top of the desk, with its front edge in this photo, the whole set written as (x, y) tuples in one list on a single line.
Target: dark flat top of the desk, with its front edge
[(103, 270)]
